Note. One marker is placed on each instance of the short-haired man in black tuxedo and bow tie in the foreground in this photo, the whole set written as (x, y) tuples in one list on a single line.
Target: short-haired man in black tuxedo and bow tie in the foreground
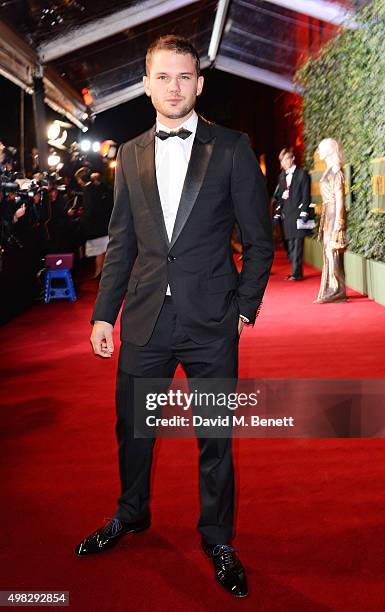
[(179, 189)]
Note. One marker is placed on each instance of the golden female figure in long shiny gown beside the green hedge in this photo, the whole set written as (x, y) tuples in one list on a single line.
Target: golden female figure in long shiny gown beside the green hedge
[(332, 224)]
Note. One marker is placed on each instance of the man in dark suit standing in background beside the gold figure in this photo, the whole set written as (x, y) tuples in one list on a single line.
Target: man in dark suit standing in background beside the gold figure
[(293, 198)]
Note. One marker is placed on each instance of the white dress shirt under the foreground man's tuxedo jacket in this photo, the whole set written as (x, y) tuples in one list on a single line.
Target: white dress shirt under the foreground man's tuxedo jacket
[(172, 157)]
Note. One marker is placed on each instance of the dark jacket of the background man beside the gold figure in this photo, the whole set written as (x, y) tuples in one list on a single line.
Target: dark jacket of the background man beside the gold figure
[(298, 201)]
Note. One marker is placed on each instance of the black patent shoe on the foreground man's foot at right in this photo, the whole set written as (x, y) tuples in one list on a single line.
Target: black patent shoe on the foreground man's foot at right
[(229, 571)]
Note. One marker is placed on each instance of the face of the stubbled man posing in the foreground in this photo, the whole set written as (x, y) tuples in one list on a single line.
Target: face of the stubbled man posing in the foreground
[(173, 85)]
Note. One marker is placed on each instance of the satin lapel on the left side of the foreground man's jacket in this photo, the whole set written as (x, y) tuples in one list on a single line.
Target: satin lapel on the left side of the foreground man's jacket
[(145, 159)]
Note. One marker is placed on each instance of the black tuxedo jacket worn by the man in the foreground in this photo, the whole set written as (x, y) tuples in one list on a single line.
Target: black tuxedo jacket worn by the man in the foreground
[(223, 184)]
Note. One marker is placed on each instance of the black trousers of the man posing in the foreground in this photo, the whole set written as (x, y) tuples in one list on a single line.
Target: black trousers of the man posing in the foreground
[(168, 346)]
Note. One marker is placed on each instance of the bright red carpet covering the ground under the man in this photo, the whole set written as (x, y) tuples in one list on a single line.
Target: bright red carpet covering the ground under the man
[(311, 522)]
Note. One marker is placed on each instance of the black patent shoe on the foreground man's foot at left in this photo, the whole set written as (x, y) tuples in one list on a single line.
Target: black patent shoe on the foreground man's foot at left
[(108, 536)]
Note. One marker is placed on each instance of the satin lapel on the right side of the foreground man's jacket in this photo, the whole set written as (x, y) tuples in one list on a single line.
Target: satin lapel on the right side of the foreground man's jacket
[(200, 156)]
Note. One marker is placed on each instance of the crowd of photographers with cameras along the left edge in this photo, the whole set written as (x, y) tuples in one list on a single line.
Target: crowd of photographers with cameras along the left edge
[(64, 213)]
